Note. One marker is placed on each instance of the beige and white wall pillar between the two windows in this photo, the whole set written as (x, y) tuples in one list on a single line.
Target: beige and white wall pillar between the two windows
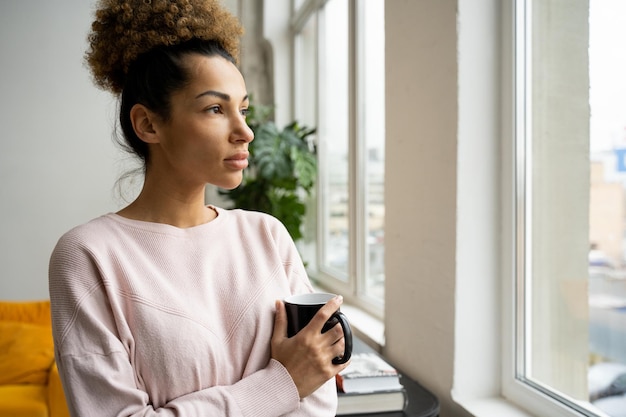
[(442, 315)]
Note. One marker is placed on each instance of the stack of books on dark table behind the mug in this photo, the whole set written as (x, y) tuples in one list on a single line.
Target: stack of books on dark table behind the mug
[(369, 385)]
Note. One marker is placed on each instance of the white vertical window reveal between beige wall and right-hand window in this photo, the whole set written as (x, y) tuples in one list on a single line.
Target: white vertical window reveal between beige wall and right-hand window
[(479, 178)]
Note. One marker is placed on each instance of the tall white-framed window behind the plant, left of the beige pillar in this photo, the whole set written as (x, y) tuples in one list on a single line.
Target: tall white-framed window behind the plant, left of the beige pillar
[(339, 88)]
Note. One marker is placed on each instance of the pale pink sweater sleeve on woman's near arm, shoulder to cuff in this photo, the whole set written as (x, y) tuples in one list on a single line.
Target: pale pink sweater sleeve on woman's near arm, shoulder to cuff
[(95, 366)]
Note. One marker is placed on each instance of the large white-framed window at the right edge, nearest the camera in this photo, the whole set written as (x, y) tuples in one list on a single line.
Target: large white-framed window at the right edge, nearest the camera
[(570, 200)]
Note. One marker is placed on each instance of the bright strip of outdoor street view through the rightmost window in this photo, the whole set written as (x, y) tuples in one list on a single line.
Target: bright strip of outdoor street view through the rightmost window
[(607, 209)]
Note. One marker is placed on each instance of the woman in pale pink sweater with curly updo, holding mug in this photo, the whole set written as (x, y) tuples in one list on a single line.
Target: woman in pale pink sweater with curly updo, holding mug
[(169, 306)]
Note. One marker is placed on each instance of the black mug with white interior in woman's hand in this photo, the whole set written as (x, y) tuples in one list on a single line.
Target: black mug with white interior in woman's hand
[(302, 307)]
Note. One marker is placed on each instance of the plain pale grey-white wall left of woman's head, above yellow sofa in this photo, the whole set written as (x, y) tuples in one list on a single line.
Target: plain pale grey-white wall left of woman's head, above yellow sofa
[(57, 159)]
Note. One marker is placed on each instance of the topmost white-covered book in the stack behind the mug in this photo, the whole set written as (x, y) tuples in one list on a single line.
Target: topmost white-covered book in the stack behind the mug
[(368, 372)]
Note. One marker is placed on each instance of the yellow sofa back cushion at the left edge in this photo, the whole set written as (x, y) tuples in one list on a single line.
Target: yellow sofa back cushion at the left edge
[(26, 353)]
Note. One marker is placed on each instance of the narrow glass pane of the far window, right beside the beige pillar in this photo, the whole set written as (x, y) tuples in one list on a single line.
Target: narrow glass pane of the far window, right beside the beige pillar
[(372, 93)]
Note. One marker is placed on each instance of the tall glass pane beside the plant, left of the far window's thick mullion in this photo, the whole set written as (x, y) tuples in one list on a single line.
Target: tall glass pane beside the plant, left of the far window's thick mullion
[(333, 133)]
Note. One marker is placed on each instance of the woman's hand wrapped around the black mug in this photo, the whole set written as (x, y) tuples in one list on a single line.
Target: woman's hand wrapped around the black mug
[(308, 355)]
